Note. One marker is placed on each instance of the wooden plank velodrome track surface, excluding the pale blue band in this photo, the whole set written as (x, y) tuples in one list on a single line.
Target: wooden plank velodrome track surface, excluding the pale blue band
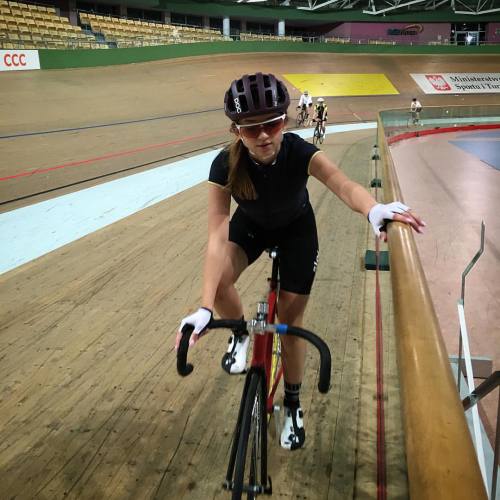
[(90, 403)]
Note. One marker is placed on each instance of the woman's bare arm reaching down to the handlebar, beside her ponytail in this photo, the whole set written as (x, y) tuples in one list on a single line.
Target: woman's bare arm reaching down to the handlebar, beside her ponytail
[(219, 202)]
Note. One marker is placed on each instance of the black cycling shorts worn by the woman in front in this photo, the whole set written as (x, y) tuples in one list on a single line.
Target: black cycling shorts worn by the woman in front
[(297, 242)]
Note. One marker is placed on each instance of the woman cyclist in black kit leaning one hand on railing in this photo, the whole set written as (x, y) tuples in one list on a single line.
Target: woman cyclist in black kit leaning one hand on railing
[(265, 171)]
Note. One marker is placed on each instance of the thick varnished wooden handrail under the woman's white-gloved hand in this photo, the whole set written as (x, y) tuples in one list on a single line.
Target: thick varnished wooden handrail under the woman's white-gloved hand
[(441, 459)]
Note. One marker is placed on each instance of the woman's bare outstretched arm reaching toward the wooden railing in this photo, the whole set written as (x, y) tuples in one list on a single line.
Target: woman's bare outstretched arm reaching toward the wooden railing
[(351, 193)]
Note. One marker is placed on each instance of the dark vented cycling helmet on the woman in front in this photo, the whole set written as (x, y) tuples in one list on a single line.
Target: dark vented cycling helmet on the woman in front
[(253, 95)]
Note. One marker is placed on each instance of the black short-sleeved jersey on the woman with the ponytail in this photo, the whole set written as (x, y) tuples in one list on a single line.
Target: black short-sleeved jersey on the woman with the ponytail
[(281, 187)]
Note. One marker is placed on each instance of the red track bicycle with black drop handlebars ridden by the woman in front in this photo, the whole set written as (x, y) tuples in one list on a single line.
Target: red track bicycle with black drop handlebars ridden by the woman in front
[(247, 468)]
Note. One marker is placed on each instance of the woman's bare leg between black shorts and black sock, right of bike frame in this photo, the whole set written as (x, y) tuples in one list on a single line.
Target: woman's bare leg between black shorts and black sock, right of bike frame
[(291, 311)]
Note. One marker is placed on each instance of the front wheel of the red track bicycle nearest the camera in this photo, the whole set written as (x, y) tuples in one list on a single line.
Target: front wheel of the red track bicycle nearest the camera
[(251, 454)]
